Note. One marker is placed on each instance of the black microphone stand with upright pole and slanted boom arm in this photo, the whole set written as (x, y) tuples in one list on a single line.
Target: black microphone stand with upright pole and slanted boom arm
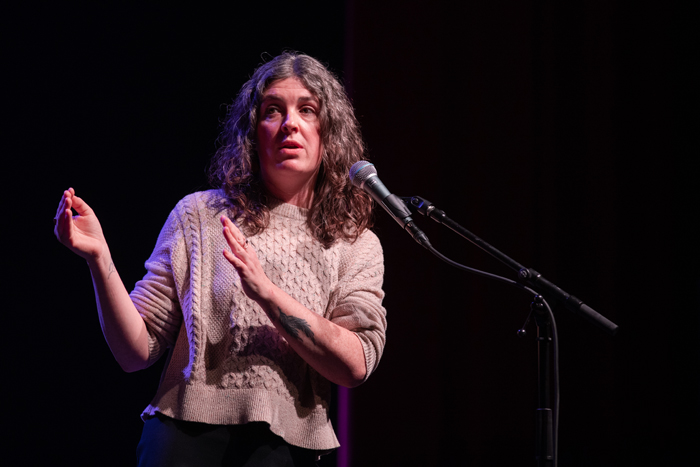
[(546, 429)]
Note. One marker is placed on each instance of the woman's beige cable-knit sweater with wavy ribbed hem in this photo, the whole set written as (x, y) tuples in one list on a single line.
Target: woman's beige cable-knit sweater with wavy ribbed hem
[(227, 362)]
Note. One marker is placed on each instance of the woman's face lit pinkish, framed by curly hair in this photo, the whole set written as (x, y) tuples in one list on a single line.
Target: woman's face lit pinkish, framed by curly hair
[(288, 139)]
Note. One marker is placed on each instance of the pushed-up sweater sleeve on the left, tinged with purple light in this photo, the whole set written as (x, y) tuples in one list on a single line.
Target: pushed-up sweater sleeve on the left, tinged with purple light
[(155, 296)]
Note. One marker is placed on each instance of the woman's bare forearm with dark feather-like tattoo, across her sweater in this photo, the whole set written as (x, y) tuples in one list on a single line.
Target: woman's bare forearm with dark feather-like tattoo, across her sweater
[(333, 351)]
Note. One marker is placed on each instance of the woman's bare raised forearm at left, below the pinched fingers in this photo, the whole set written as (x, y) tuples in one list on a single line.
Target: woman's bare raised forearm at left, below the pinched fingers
[(122, 325)]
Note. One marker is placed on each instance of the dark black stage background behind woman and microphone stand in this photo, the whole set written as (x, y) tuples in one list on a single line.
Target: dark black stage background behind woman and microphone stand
[(563, 134)]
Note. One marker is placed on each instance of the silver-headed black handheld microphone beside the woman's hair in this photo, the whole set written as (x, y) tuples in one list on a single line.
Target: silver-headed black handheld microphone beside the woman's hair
[(364, 176)]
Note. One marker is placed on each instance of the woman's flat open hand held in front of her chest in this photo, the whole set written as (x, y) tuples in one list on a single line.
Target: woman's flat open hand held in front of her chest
[(243, 257)]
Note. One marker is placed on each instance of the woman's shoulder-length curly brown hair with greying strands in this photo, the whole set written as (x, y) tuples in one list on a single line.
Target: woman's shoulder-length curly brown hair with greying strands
[(338, 209)]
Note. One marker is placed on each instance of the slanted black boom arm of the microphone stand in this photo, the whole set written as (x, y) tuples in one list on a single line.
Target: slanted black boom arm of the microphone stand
[(527, 275)]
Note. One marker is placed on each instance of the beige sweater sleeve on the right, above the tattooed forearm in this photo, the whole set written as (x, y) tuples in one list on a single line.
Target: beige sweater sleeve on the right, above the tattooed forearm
[(359, 300)]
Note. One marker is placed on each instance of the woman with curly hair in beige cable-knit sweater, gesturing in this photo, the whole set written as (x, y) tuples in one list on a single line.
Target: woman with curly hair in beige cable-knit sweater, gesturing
[(262, 292)]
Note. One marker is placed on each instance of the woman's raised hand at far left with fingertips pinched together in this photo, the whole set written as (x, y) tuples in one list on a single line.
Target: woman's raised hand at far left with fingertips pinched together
[(81, 233)]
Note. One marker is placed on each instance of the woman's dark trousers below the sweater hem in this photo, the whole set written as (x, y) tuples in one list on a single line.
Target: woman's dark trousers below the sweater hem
[(166, 442)]
